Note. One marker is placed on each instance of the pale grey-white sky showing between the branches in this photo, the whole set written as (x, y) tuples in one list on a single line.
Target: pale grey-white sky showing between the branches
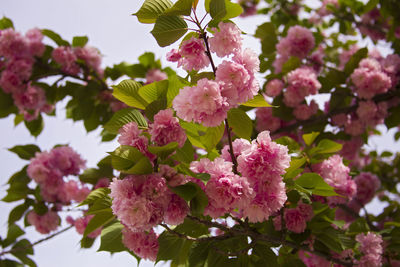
[(120, 37)]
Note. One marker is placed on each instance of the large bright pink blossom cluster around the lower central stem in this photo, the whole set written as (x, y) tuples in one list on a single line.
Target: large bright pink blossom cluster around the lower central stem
[(259, 192)]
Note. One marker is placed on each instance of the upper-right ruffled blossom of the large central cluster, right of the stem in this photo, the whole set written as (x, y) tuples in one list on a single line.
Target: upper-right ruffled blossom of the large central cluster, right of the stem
[(264, 160)]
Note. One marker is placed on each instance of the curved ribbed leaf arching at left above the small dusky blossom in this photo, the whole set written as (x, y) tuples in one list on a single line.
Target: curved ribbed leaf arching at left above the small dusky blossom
[(124, 116)]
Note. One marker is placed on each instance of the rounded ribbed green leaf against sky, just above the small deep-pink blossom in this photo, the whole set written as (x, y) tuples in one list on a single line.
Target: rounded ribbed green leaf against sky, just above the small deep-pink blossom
[(168, 30)]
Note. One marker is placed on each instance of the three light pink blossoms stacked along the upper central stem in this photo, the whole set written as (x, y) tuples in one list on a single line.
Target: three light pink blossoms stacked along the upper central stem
[(235, 82)]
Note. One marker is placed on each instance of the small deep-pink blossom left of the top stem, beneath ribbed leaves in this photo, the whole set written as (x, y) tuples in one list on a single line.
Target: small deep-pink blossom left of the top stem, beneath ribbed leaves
[(193, 55)]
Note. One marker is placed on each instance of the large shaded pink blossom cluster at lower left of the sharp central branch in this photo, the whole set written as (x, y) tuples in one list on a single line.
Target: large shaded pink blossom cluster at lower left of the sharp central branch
[(142, 202)]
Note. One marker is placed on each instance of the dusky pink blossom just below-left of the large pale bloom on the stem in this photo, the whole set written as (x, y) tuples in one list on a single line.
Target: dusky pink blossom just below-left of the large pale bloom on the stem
[(166, 129)]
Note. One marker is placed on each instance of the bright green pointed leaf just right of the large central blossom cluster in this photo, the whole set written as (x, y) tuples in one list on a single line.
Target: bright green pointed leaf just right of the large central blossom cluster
[(316, 184)]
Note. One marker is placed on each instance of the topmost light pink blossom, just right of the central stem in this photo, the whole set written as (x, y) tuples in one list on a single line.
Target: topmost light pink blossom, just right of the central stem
[(227, 40)]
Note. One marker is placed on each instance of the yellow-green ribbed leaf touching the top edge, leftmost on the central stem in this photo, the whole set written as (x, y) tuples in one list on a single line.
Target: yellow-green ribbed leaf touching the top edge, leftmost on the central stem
[(151, 10)]
